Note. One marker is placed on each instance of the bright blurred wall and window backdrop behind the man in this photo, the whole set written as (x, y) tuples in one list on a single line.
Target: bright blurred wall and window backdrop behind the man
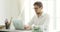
[(23, 9)]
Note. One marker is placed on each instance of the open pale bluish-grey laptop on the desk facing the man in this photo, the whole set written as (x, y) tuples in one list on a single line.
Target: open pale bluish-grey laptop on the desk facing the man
[(18, 24)]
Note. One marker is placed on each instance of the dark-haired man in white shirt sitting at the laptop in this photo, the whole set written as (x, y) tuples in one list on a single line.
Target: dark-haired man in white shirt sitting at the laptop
[(40, 18)]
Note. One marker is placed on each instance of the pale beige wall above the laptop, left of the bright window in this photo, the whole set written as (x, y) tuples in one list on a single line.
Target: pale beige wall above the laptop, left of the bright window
[(11, 8)]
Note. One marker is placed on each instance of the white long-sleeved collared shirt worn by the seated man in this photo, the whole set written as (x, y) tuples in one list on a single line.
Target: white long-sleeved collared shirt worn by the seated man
[(42, 21)]
